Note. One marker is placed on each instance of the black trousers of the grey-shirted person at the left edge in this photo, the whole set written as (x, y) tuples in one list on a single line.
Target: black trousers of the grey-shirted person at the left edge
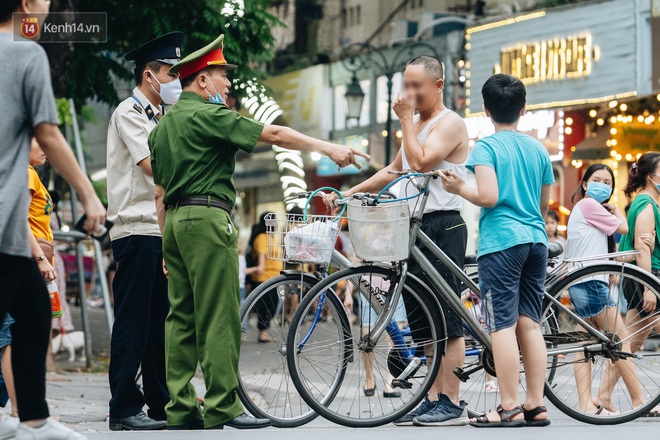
[(24, 295)]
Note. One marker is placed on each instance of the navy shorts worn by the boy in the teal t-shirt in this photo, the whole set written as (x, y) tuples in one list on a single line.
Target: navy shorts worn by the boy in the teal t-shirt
[(512, 284)]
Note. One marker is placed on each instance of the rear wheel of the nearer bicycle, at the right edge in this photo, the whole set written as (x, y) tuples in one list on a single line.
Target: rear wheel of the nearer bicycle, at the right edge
[(601, 381)]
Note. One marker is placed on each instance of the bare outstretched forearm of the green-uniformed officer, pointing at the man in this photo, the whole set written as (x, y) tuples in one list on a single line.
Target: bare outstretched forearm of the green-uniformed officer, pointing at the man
[(288, 138)]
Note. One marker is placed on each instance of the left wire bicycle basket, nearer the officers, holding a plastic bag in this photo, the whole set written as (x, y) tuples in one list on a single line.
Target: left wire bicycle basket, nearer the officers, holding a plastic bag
[(294, 238)]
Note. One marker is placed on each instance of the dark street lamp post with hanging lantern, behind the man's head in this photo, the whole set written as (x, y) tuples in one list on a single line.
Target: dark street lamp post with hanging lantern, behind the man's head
[(364, 56)]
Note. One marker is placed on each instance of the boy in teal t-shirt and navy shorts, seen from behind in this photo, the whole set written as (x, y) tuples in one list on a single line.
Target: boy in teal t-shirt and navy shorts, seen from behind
[(513, 173)]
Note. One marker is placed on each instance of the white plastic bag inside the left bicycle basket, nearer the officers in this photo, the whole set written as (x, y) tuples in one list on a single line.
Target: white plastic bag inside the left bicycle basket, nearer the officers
[(312, 243)]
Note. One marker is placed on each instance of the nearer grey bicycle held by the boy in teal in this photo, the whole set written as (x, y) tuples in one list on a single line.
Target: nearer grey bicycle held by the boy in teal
[(324, 357)]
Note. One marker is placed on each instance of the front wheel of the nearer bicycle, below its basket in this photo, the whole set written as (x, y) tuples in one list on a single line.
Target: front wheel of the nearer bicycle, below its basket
[(332, 361)]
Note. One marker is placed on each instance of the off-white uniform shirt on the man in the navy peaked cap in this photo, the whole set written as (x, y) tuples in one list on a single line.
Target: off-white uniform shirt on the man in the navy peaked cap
[(130, 191)]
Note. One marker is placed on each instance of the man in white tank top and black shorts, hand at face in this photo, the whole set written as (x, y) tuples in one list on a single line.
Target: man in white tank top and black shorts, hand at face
[(434, 138)]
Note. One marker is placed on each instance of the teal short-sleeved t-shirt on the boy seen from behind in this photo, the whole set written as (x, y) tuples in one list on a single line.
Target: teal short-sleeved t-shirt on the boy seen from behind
[(523, 166)]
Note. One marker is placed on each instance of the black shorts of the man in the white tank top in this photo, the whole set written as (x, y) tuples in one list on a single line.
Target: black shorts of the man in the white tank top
[(449, 231)]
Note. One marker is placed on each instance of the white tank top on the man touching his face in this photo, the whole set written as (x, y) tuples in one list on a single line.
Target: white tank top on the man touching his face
[(439, 199)]
